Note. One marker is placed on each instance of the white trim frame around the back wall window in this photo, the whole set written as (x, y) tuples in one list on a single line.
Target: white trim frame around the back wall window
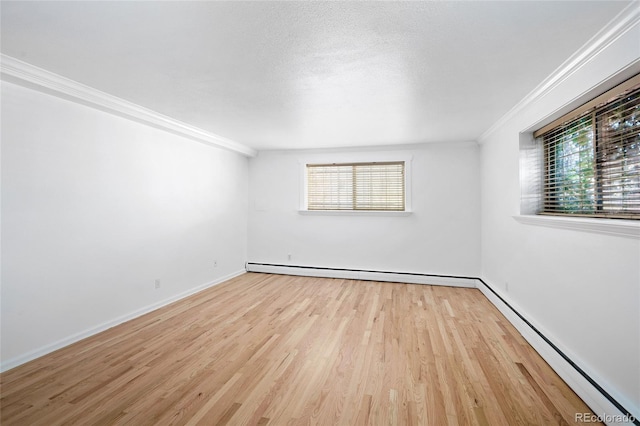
[(356, 158)]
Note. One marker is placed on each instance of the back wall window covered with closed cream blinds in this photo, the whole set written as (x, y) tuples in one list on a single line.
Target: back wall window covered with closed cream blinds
[(378, 186)]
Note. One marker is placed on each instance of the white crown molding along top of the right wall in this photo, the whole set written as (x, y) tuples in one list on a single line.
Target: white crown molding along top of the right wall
[(623, 22)]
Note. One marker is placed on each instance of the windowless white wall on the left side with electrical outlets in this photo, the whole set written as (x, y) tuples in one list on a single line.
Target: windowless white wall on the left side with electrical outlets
[(95, 208)]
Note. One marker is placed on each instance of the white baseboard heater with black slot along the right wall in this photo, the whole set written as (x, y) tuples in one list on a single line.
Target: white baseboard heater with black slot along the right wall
[(609, 410)]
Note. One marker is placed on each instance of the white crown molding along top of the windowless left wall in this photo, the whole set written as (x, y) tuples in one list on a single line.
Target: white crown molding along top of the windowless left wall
[(22, 73)]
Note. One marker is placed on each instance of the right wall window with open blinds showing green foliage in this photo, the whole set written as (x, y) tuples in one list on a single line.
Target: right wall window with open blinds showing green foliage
[(591, 164)]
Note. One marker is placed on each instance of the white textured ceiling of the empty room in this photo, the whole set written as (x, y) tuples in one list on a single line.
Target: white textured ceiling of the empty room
[(280, 75)]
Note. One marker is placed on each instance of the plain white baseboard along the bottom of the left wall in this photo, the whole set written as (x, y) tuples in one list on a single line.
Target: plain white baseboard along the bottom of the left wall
[(44, 350)]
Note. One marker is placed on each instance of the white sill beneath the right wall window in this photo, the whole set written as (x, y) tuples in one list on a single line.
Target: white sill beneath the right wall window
[(617, 227)]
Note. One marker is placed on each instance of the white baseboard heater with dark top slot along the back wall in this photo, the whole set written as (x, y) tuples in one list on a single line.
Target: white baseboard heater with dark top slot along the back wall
[(361, 274)]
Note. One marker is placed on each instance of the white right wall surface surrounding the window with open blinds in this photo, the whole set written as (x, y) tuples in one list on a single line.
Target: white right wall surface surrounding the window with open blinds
[(581, 289)]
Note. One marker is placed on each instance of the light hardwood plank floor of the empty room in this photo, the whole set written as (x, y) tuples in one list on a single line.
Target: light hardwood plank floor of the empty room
[(271, 349)]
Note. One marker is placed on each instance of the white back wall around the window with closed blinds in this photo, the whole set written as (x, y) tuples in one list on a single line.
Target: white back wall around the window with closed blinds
[(440, 237)]
